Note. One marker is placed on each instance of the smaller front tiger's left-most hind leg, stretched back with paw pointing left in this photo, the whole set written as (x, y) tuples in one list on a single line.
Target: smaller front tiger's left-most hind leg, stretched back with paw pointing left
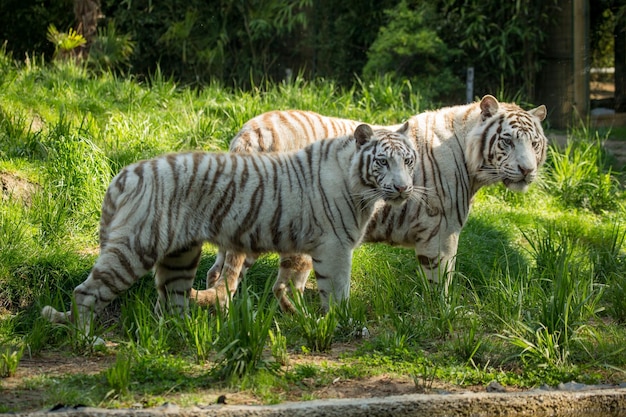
[(116, 269)]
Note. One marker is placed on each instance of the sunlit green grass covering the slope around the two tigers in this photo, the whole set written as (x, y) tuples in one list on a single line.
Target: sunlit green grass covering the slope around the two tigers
[(539, 296)]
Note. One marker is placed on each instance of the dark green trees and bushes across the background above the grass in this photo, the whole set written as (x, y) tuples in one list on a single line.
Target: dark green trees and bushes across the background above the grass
[(245, 44)]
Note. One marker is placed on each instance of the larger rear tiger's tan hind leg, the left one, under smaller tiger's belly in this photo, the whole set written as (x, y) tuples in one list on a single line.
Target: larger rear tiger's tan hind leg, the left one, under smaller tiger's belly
[(234, 266)]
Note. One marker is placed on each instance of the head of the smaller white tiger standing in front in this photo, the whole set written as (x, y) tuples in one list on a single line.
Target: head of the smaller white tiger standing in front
[(387, 163)]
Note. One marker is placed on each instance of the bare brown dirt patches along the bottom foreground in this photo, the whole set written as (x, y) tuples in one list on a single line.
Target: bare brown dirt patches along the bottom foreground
[(21, 392)]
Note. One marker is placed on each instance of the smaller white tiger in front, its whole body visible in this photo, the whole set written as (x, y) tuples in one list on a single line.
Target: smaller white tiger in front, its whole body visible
[(318, 201)]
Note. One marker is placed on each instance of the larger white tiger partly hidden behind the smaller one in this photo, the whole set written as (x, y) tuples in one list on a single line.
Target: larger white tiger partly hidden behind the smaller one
[(461, 149)]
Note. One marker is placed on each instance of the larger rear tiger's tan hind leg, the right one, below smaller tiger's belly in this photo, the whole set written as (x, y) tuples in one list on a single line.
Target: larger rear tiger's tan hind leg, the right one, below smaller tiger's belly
[(294, 271)]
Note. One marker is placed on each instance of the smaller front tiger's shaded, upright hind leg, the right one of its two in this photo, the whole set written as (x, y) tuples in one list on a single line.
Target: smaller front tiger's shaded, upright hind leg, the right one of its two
[(174, 276)]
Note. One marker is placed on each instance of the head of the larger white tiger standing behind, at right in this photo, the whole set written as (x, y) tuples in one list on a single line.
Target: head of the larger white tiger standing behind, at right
[(507, 144)]
